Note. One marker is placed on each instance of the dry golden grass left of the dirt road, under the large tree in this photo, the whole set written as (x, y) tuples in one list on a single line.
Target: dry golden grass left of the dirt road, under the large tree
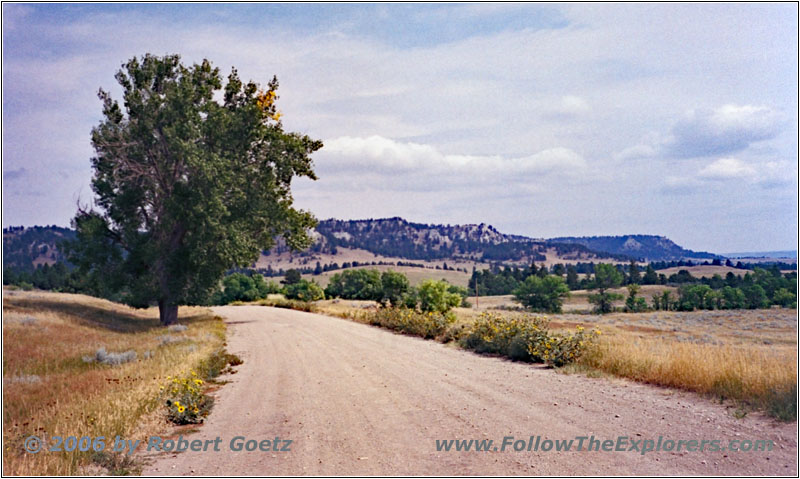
[(50, 391)]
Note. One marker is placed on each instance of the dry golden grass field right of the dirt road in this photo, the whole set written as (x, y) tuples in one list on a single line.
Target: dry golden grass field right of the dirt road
[(749, 356)]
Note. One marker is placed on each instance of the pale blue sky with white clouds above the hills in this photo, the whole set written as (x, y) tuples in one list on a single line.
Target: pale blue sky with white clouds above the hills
[(542, 120)]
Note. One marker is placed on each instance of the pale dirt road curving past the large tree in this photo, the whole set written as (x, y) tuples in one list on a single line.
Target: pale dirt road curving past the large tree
[(358, 400)]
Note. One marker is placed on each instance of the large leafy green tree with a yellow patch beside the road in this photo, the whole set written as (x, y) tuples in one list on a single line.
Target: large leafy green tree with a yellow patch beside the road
[(187, 186)]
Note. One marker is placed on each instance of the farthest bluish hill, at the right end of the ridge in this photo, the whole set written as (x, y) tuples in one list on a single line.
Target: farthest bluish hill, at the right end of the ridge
[(641, 247)]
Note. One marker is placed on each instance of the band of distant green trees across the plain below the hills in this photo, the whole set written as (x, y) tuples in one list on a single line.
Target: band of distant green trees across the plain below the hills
[(537, 287)]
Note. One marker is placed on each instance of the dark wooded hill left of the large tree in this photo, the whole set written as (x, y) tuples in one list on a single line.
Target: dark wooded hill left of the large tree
[(26, 248)]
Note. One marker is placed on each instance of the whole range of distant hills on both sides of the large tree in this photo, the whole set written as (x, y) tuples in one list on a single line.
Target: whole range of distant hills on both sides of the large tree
[(395, 241)]
